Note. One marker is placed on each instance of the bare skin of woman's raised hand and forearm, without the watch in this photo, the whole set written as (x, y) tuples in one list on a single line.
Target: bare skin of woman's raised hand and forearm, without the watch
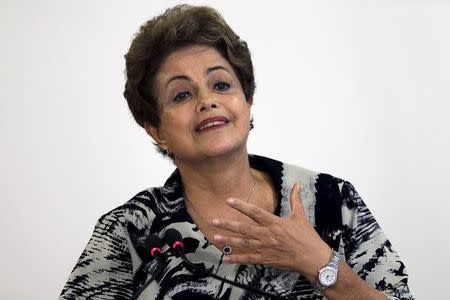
[(276, 241)]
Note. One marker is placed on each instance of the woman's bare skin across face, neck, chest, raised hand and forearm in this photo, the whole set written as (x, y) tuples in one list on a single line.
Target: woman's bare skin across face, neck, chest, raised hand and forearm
[(196, 83)]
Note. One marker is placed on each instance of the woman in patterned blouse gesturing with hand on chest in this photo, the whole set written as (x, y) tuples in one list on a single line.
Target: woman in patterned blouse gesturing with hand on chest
[(242, 217)]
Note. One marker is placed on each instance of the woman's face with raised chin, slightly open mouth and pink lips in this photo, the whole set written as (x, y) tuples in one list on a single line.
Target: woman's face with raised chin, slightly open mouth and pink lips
[(204, 112)]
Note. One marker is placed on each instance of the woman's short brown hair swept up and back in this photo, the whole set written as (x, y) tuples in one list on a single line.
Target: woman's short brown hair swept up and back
[(177, 27)]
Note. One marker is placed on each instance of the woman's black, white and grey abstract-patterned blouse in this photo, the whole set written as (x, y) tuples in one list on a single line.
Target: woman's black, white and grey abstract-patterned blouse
[(110, 266)]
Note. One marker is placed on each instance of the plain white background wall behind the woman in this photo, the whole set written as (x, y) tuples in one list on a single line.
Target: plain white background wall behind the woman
[(358, 89)]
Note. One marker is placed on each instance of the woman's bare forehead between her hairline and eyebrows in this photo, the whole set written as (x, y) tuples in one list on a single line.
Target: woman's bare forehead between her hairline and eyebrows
[(191, 60)]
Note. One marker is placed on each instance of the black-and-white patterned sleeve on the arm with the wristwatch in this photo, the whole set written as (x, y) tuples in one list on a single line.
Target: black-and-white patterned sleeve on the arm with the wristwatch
[(369, 253)]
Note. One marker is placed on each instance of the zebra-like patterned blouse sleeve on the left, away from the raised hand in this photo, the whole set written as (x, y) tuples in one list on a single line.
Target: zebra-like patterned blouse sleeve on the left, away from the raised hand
[(104, 269)]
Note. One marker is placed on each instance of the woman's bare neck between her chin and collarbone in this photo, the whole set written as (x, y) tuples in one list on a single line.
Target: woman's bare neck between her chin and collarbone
[(214, 180)]
